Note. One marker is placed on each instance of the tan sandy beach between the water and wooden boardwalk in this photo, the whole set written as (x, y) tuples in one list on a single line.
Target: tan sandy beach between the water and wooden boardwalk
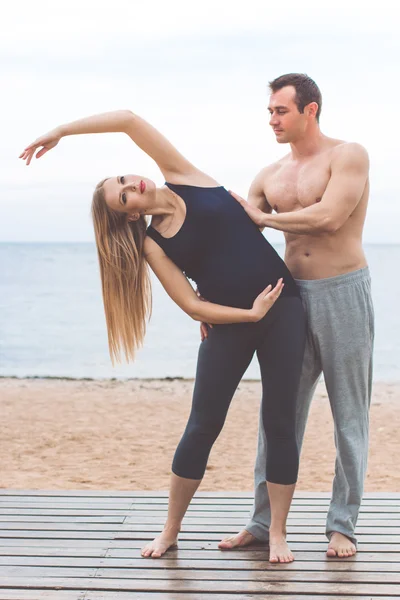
[(76, 434)]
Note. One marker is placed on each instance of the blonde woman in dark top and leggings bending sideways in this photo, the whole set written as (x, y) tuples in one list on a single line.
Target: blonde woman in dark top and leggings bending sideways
[(200, 231)]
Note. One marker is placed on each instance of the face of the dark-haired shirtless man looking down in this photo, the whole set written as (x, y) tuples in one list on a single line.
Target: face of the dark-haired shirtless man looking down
[(286, 121)]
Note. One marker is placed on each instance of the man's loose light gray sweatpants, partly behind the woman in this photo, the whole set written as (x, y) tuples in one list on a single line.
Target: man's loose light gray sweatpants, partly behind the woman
[(340, 334)]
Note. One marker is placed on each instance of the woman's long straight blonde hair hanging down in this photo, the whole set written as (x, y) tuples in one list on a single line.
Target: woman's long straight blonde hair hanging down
[(124, 274)]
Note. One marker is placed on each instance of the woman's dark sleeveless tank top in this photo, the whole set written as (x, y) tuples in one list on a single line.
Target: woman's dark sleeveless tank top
[(222, 250)]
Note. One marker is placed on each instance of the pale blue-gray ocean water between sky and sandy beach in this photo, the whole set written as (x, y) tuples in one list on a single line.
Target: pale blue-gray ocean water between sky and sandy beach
[(52, 321)]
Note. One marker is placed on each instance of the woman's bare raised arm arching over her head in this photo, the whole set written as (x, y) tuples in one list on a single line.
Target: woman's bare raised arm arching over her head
[(145, 136)]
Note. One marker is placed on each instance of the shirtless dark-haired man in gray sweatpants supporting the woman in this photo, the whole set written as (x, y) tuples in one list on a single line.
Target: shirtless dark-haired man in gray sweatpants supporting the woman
[(319, 192)]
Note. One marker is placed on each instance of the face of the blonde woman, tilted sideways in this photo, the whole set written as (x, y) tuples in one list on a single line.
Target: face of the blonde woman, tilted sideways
[(129, 194)]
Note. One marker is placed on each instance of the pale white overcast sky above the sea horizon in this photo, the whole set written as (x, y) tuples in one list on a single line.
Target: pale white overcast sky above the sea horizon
[(199, 72)]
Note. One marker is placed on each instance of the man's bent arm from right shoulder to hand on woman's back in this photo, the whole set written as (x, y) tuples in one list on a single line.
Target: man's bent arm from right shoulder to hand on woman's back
[(349, 175)]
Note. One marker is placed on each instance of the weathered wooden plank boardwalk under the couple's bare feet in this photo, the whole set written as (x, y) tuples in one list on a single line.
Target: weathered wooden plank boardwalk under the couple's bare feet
[(86, 546)]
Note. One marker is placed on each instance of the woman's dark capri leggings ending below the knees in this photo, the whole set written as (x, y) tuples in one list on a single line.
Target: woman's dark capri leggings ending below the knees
[(279, 340)]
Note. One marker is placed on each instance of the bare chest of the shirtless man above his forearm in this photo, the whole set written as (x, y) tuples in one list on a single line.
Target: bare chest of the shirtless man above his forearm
[(295, 188)]
